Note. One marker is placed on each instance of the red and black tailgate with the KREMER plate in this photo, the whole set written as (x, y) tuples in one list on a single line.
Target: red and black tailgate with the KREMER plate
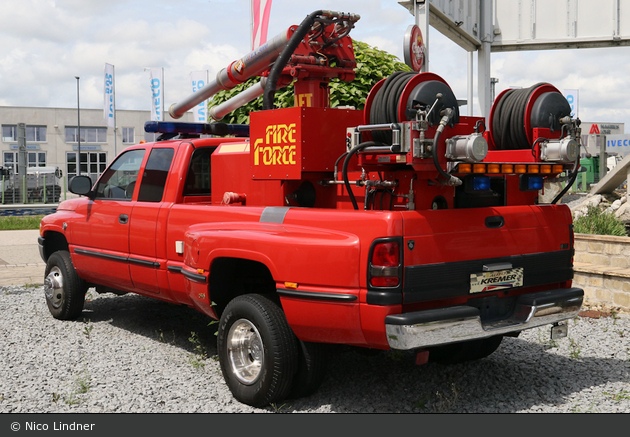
[(471, 252)]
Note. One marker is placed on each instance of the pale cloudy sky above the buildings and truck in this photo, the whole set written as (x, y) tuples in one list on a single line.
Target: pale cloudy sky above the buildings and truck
[(44, 44)]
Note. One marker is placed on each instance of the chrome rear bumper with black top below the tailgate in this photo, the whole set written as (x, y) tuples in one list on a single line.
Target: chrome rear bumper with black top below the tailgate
[(462, 323)]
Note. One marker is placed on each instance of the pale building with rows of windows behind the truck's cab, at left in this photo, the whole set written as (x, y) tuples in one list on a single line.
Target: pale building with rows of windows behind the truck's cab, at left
[(51, 137)]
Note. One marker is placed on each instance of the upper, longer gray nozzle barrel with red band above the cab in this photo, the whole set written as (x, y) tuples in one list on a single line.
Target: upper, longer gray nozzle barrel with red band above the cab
[(248, 66)]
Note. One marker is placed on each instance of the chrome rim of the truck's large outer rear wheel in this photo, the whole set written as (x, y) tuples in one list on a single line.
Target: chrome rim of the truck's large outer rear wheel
[(245, 351)]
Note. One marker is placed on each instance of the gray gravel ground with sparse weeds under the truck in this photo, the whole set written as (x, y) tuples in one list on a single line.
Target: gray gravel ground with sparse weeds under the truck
[(130, 354)]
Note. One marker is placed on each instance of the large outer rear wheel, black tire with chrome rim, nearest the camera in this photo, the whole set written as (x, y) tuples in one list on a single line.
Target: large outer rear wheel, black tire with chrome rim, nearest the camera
[(260, 367)]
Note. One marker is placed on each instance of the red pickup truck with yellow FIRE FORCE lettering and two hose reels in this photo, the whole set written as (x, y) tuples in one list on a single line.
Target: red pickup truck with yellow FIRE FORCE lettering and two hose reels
[(315, 225)]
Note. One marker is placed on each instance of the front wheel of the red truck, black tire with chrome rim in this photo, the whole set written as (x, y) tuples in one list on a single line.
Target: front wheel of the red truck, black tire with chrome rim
[(63, 288)]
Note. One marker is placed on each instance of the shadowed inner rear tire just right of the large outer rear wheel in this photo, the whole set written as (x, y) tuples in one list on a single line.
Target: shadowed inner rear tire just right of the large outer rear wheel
[(312, 360)]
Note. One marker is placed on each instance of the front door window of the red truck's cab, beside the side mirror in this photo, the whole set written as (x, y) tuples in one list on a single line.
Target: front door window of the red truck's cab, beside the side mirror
[(119, 180)]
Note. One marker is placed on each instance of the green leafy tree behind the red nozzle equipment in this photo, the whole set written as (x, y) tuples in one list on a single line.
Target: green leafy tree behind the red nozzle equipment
[(372, 66)]
